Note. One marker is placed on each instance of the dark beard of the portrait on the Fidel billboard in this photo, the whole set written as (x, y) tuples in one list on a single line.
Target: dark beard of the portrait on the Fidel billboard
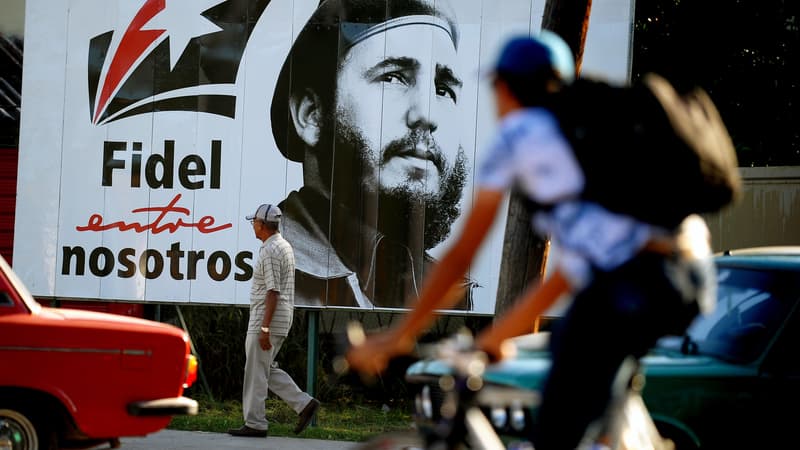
[(400, 206)]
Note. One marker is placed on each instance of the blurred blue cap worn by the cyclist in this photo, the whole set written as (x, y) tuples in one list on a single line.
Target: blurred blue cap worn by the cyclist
[(525, 55)]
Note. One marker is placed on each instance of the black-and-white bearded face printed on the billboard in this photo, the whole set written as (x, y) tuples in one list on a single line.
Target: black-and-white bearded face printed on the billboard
[(397, 109)]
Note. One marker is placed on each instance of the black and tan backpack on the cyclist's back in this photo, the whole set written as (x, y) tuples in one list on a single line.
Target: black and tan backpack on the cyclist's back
[(647, 151)]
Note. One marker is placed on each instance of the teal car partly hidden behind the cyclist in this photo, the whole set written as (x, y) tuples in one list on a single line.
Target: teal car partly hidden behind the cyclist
[(732, 381)]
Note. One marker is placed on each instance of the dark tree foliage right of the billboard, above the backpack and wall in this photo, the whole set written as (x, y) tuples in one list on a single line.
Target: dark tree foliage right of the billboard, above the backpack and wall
[(744, 53)]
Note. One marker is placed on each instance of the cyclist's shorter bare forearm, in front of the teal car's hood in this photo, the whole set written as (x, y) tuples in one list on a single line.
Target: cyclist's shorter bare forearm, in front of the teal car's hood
[(519, 319)]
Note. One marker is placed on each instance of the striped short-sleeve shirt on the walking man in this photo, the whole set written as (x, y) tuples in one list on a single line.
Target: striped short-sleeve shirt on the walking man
[(273, 271)]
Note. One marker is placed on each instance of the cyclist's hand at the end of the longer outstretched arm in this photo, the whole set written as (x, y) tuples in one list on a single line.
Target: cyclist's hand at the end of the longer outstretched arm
[(372, 355)]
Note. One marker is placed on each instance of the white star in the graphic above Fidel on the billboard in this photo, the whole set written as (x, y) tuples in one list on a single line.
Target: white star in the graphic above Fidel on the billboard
[(182, 21)]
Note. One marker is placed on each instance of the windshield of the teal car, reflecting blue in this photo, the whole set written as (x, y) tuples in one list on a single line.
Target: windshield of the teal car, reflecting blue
[(752, 304)]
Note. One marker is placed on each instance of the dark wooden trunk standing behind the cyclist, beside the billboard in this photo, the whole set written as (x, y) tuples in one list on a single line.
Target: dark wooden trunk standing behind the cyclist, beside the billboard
[(524, 252)]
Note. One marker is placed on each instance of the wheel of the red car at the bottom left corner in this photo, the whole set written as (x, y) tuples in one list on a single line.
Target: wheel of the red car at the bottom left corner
[(20, 431)]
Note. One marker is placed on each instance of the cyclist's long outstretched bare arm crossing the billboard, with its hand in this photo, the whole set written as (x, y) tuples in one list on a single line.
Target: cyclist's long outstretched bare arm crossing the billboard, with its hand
[(437, 292)]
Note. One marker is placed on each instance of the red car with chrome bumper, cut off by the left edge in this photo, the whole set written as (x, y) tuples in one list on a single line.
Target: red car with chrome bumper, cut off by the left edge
[(76, 378)]
